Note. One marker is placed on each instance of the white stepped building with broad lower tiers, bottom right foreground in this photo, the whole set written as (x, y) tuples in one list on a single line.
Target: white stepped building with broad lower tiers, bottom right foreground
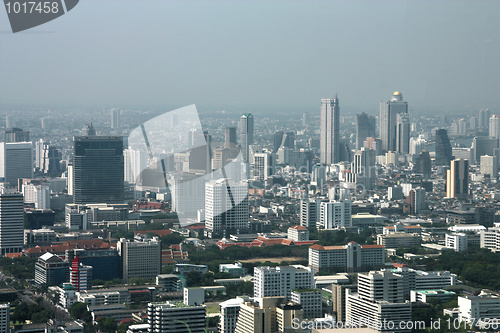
[(379, 301)]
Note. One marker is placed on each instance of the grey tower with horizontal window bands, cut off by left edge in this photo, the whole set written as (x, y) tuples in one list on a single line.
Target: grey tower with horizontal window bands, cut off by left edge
[(11, 223)]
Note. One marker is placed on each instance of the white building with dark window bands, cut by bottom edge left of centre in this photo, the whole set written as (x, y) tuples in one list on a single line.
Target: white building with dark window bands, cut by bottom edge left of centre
[(173, 318)]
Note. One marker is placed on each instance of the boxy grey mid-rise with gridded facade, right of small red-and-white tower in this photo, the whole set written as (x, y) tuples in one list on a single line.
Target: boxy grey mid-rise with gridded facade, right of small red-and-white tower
[(140, 259)]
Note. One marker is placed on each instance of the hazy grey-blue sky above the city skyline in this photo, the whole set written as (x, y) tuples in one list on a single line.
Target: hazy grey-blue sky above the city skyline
[(258, 56)]
